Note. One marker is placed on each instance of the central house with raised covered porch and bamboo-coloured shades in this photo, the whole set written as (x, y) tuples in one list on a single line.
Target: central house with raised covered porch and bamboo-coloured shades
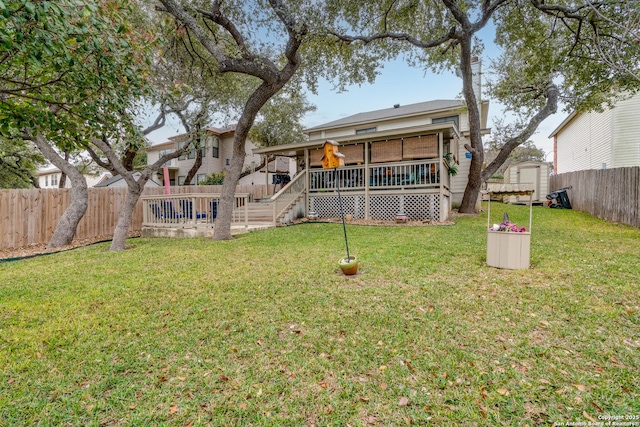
[(397, 160)]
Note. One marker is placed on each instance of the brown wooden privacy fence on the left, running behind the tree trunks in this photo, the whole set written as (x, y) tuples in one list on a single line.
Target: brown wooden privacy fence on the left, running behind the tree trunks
[(29, 217)]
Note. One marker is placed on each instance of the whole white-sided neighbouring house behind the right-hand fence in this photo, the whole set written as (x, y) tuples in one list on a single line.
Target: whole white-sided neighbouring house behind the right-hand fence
[(595, 140)]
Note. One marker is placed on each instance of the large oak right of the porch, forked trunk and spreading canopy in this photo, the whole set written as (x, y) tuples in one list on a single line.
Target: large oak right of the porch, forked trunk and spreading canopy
[(548, 56)]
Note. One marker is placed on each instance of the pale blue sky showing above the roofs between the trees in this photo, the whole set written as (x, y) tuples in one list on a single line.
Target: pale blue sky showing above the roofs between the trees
[(399, 83)]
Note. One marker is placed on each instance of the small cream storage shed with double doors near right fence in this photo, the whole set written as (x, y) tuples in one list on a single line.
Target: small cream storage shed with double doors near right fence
[(536, 173)]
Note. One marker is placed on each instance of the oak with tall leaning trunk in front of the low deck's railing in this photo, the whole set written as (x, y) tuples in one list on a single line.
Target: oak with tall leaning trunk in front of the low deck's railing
[(264, 42)]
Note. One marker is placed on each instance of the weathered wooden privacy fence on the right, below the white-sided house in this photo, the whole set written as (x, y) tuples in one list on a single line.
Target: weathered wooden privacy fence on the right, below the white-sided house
[(611, 194)]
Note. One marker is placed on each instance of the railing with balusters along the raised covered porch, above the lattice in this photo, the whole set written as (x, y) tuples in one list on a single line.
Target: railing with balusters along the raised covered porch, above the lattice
[(422, 174)]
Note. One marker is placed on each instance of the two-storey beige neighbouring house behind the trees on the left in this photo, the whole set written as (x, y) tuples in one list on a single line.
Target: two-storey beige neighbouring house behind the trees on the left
[(217, 153)]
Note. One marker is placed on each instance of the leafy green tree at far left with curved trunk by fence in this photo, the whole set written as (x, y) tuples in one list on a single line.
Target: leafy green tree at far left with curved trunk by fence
[(69, 70)]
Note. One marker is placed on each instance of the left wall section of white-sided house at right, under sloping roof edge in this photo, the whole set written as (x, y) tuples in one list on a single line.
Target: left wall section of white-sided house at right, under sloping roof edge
[(585, 143)]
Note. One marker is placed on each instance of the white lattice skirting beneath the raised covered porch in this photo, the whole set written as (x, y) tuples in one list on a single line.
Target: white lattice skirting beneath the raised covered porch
[(417, 207)]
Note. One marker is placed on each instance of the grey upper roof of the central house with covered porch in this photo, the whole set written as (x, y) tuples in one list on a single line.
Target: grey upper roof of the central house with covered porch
[(389, 113)]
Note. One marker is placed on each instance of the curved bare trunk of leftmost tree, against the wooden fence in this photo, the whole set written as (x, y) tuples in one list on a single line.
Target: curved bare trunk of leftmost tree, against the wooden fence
[(68, 223)]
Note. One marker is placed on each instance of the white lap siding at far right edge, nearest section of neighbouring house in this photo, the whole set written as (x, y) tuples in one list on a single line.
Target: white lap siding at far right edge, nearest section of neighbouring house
[(626, 133)]
